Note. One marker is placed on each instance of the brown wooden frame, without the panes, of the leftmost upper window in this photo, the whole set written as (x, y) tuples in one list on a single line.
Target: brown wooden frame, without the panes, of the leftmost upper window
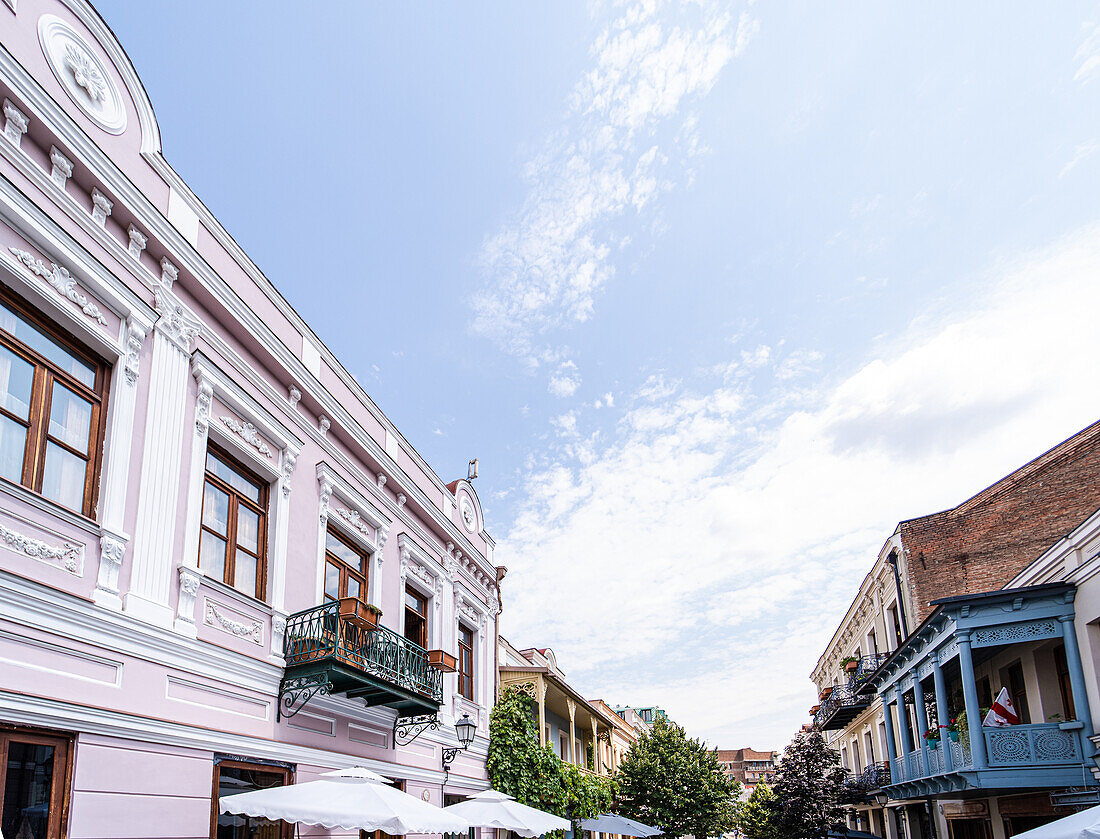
[(46, 374)]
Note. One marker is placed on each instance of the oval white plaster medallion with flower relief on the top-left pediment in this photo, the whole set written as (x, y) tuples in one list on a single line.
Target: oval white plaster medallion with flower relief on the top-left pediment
[(83, 75)]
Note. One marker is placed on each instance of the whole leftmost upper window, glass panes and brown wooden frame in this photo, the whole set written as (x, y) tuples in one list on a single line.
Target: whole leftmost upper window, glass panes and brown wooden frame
[(52, 411)]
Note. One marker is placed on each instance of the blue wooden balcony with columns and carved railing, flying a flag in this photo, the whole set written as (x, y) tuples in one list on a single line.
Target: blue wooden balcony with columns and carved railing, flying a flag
[(961, 633)]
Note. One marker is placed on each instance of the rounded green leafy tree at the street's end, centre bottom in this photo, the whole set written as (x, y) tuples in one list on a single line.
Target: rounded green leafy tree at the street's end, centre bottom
[(676, 783)]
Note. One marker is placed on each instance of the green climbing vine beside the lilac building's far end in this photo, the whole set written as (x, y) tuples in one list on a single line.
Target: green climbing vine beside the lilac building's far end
[(532, 774)]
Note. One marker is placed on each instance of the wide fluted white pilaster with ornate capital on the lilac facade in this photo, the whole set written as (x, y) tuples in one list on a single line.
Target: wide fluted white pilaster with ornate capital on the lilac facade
[(159, 502)]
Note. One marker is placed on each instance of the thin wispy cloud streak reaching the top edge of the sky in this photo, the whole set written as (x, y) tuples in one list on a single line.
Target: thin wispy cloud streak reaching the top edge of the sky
[(628, 137)]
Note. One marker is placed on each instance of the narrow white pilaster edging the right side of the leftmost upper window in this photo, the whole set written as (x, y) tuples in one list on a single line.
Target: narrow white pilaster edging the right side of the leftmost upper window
[(116, 485)]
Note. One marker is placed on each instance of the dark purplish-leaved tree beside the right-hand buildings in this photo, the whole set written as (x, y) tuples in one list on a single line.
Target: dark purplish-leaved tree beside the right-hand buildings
[(809, 783)]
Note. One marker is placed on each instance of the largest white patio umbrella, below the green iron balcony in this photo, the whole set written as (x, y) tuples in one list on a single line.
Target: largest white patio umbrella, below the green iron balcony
[(353, 800)]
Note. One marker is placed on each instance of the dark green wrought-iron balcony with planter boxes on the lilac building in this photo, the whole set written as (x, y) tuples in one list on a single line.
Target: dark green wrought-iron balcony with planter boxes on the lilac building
[(328, 654)]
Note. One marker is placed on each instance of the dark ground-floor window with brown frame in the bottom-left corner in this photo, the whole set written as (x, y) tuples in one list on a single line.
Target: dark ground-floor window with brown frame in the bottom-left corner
[(35, 780)]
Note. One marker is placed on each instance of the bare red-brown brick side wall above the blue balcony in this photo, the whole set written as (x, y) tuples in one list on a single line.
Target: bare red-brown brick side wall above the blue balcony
[(986, 542)]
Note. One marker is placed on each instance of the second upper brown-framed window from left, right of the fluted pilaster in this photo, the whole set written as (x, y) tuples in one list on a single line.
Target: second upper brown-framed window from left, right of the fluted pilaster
[(234, 539)]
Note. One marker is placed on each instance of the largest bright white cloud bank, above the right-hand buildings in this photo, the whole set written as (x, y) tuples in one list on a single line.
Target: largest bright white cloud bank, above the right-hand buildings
[(709, 548)]
